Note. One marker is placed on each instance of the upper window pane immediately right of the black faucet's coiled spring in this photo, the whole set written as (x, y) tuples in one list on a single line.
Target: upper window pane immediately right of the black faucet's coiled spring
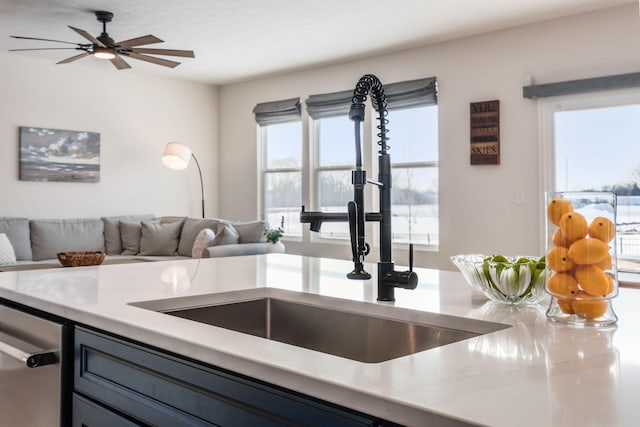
[(413, 134)]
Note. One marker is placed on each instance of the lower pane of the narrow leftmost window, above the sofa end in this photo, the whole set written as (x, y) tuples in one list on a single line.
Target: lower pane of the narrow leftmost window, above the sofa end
[(282, 199)]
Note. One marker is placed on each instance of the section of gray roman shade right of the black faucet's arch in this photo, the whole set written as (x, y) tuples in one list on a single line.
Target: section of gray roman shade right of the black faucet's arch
[(411, 93)]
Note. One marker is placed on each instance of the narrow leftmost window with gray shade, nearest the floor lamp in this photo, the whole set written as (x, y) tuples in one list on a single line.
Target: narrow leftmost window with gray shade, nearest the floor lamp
[(280, 148)]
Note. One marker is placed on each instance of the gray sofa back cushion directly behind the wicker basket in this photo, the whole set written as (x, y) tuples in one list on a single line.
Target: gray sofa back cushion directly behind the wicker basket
[(50, 236)]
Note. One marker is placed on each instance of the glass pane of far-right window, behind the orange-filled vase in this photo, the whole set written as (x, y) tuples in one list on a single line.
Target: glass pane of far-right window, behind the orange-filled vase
[(597, 149)]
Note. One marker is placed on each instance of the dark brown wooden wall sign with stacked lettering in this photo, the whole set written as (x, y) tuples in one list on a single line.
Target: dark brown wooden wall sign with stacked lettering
[(485, 133)]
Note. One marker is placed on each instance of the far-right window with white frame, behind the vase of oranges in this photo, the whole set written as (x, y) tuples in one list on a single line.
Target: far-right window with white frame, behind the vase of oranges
[(591, 143)]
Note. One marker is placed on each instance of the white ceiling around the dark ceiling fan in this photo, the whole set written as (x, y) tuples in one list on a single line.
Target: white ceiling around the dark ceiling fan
[(236, 40)]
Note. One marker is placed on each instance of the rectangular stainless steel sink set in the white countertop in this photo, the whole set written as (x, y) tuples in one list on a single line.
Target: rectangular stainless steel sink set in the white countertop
[(365, 332)]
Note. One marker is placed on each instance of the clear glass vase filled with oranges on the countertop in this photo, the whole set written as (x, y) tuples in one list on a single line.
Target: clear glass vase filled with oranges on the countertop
[(581, 265)]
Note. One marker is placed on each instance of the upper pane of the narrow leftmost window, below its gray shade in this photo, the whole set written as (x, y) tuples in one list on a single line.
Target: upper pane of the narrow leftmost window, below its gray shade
[(283, 146)]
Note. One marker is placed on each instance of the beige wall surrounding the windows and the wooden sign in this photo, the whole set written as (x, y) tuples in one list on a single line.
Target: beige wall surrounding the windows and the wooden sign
[(477, 209)]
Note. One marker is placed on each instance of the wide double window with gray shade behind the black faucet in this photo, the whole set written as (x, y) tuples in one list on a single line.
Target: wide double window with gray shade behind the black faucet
[(413, 141)]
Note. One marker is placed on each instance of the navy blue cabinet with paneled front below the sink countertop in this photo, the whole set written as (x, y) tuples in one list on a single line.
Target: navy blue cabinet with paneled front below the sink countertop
[(137, 385)]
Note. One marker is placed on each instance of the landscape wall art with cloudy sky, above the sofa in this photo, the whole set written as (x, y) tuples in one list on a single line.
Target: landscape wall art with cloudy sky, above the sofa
[(59, 155)]
